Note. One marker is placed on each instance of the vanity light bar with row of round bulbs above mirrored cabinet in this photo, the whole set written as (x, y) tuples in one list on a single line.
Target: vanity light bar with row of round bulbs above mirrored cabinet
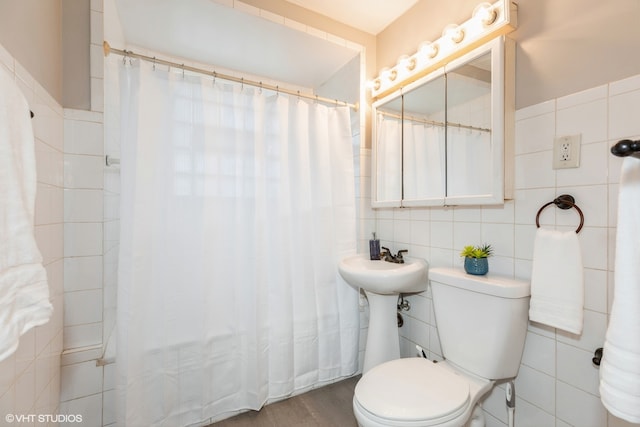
[(487, 22)]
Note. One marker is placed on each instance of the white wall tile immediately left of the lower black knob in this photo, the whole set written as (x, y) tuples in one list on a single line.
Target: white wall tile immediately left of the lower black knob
[(576, 368)]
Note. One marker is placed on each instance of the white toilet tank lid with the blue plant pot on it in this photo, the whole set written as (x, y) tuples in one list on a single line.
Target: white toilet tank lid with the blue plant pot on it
[(491, 284)]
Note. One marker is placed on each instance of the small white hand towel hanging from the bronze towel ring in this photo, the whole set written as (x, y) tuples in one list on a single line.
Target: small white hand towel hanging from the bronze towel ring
[(557, 281)]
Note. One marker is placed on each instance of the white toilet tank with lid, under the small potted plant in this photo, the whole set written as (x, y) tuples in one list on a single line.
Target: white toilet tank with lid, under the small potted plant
[(481, 320)]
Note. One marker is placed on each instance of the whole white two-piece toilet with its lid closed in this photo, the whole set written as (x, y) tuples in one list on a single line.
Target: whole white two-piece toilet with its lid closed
[(482, 324)]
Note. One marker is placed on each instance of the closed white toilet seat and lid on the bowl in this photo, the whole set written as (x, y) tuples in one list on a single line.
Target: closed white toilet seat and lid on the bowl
[(413, 391)]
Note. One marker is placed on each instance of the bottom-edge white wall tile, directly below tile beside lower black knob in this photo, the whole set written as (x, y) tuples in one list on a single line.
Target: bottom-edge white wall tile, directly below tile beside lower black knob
[(579, 408)]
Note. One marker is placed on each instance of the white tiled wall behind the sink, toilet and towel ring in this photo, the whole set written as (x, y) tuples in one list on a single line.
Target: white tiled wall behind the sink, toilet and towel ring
[(557, 384)]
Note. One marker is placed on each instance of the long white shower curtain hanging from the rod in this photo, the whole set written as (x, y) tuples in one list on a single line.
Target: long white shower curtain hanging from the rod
[(236, 206)]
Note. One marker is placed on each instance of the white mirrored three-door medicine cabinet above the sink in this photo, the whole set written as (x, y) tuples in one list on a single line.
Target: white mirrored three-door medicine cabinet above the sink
[(443, 139)]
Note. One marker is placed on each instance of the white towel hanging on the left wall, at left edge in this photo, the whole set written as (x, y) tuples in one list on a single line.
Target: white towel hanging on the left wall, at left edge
[(24, 293)]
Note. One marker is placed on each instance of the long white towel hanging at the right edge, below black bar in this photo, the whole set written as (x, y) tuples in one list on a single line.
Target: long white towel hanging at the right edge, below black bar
[(620, 365)]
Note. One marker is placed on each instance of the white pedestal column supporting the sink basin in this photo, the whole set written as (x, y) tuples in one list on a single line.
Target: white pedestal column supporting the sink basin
[(382, 338)]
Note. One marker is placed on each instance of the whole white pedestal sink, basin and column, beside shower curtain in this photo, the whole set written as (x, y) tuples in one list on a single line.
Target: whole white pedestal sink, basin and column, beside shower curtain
[(382, 282)]
